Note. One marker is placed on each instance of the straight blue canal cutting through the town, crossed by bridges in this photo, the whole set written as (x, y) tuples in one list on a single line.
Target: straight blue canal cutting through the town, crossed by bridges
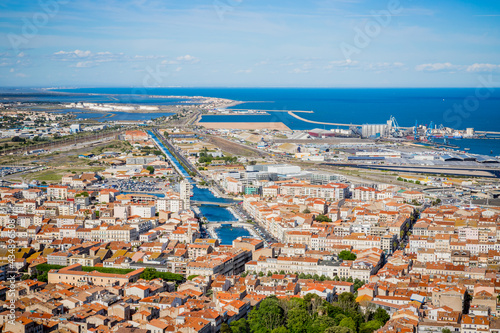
[(213, 213)]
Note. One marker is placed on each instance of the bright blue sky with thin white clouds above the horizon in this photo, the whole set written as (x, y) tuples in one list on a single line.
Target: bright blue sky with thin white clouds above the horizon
[(249, 43)]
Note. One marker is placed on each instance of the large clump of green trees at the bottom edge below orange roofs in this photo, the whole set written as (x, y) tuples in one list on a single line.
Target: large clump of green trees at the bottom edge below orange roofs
[(310, 314)]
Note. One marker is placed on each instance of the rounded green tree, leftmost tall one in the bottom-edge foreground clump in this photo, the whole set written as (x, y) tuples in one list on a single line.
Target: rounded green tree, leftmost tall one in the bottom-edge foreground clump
[(267, 317)]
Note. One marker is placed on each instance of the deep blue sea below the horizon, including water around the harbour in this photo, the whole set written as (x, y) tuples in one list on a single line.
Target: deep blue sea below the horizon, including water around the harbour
[(459, 108)]
